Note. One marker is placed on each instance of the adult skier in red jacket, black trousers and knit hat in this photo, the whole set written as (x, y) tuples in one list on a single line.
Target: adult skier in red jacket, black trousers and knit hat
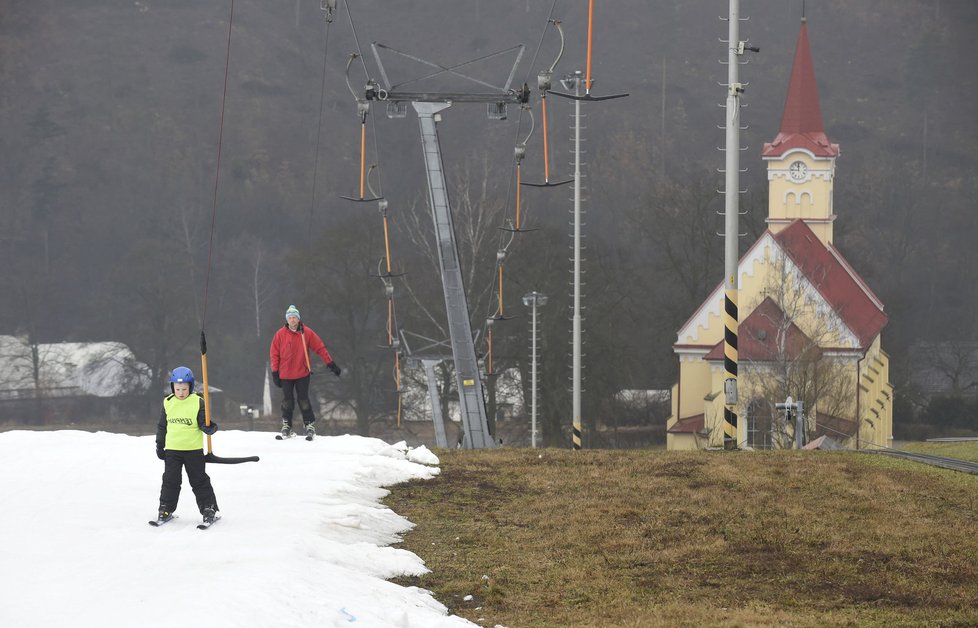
[(291, 369)]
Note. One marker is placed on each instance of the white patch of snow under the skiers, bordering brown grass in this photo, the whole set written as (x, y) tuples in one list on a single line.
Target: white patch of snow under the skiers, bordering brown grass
[(303, 541)]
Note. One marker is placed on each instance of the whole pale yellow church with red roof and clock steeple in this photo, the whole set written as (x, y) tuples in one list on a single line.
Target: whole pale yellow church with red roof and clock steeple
[(809, 325)]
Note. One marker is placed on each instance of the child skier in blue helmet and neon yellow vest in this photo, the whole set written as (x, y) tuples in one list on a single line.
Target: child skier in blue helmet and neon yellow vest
[(179, 443)]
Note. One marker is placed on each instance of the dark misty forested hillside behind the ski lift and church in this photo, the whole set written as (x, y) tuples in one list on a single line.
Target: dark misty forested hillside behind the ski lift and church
[(110, 114)]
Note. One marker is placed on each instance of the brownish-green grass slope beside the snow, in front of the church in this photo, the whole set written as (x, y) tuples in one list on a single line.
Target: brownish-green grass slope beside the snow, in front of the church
[(654, 538)]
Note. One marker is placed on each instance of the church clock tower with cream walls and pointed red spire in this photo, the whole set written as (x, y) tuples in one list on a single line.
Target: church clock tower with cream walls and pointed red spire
[(801, 159)]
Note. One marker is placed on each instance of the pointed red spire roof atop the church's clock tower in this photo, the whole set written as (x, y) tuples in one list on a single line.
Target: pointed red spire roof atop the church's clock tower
[(801, 124)]
